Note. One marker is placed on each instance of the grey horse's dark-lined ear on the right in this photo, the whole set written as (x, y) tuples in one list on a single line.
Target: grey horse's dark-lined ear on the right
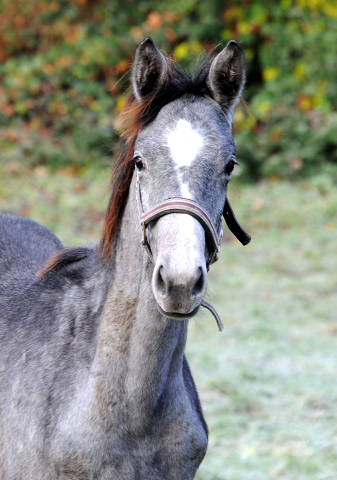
[(226, 77)]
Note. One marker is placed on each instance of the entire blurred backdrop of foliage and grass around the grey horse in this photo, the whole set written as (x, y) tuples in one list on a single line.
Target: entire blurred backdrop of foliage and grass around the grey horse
[(268, 384)]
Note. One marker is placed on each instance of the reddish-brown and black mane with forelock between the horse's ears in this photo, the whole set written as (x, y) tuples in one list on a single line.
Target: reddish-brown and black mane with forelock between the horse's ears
[(134, 116)]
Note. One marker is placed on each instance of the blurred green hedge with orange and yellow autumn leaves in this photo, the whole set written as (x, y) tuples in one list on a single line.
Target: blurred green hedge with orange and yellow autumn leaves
[(63, 81)]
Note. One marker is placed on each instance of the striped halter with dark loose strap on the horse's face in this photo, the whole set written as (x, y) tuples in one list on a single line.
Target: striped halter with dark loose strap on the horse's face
[(213, 235)]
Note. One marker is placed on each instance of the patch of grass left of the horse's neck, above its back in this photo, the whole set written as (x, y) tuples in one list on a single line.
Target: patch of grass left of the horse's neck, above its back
[(70, 203)]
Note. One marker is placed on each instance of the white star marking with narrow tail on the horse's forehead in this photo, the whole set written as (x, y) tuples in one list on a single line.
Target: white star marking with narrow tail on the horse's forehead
[(184, 143)]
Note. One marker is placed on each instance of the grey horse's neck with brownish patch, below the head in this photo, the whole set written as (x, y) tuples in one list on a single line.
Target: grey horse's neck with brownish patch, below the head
[(140, 352)]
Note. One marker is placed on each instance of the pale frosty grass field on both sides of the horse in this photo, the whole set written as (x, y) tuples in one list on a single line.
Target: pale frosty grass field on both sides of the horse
[(268, 382)]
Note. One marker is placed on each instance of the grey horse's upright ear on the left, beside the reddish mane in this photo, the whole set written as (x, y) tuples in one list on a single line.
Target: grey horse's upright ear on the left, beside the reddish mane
[(149, 69)]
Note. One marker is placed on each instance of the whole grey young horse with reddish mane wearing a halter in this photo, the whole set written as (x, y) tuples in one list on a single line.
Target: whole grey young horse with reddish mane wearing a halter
[(94, 383)]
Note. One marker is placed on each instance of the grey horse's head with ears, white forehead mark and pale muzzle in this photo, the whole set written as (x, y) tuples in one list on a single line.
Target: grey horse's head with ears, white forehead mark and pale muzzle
[(185, 152)]
